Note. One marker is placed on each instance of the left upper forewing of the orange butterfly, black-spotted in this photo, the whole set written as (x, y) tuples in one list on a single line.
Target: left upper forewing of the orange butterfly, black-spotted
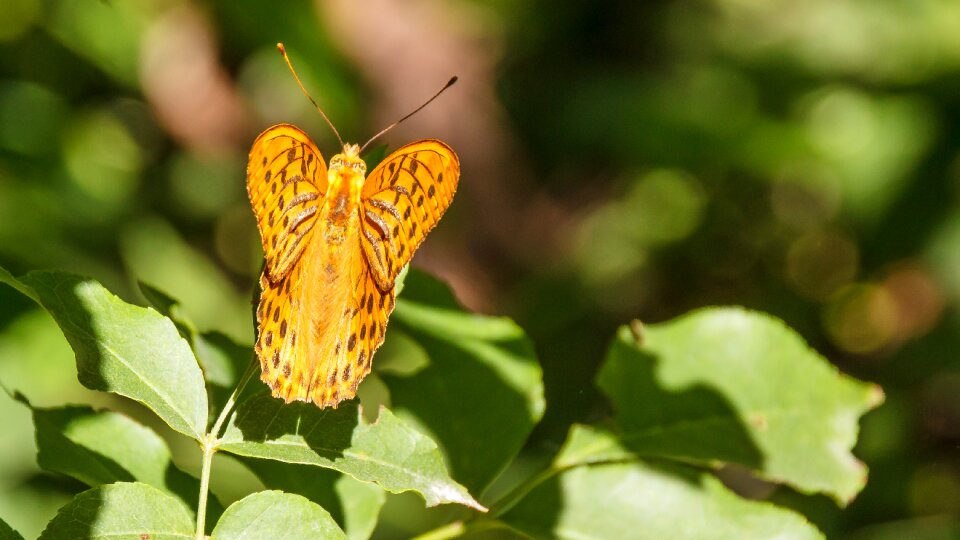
[(286, 182)]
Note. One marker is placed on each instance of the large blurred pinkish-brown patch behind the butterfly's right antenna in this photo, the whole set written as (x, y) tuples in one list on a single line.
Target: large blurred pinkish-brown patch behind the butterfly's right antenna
[(406, 51)]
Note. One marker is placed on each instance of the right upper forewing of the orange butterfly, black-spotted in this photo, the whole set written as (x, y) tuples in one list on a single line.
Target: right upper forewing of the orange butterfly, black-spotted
[(402, 200)]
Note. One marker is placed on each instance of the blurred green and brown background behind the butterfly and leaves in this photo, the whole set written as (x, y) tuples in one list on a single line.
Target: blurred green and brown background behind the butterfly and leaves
[(619, 159)]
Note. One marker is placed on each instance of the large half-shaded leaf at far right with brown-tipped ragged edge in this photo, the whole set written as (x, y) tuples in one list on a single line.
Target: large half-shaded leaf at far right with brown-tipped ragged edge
[(730, 385)]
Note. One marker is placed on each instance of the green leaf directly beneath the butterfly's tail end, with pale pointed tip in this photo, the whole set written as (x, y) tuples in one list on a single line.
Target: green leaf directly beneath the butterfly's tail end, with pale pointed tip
[(387, 452)]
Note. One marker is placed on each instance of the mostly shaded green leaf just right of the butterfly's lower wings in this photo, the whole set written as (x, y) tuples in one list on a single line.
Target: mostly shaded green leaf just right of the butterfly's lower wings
[(481, 382)]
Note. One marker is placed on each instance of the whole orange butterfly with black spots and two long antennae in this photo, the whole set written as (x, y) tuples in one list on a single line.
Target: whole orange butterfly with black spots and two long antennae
[(334, 241)]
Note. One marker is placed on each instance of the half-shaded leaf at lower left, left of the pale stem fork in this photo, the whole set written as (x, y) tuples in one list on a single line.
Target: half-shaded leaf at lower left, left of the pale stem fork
[(103, 447)]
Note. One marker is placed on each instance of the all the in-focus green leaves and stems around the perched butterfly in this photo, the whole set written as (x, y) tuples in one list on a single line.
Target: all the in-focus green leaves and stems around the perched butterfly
[(714, 387)]
